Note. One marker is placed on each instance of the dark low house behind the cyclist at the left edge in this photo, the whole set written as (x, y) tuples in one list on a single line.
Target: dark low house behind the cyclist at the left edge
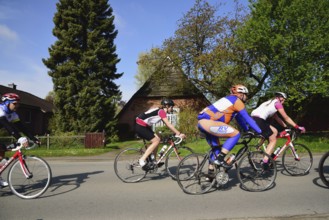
[(34, 112)]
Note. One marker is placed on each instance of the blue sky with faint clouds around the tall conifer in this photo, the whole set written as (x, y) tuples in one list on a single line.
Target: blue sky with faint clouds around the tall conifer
[(26, 34)]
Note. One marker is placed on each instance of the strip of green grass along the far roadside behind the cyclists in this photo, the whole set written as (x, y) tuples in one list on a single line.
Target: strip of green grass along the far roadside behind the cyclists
[(317, 144)]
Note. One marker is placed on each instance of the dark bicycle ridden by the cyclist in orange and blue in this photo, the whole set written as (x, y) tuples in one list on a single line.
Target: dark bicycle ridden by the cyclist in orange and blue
[(193, 176)]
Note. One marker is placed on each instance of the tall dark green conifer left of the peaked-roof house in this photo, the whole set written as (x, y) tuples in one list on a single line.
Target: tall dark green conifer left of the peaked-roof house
[(82, 65)]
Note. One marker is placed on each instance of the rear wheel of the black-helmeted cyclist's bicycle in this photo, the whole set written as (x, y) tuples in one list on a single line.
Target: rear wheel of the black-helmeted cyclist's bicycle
[(126, 165)]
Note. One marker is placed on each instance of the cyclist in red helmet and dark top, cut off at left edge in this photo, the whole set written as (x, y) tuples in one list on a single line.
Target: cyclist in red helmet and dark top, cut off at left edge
[(9, 120)]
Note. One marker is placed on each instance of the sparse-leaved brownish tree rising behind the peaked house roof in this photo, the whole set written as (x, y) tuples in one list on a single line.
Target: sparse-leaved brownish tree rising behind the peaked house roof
[(204, 47)]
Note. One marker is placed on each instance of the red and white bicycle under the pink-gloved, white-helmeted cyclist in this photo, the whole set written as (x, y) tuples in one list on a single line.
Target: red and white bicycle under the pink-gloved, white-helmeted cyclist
[(298, 160)]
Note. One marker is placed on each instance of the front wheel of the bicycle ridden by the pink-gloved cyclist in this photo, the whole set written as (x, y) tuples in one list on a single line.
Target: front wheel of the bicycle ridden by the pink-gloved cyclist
[(297, 167)]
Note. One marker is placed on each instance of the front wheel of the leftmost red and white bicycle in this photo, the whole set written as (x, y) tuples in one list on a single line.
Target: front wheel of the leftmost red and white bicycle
[(36, 183)]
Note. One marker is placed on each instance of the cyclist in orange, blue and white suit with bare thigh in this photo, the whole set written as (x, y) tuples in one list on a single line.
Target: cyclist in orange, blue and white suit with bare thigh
[(214, 121)]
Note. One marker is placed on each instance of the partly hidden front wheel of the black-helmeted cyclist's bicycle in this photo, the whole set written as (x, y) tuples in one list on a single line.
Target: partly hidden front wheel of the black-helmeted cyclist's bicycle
[(175, 159)]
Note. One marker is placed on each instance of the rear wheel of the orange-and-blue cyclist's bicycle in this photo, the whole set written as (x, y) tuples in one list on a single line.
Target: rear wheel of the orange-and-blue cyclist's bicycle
[(192, 174)]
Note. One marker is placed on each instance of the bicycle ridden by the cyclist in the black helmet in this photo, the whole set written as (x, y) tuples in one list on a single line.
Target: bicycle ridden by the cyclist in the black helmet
[(127, 168)]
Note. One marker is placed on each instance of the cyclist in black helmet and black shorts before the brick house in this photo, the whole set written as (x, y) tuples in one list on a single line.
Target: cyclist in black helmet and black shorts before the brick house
[(143, 129)]
